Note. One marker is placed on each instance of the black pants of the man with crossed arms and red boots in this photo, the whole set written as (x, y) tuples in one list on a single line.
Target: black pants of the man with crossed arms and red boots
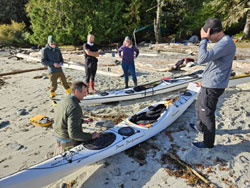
[(90, 69)]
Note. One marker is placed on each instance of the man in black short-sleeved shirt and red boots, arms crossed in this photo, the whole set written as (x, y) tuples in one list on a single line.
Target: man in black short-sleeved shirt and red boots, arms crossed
[(91, 54)]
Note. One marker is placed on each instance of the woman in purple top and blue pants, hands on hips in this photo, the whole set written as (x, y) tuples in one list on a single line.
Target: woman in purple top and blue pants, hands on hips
[(130, 52)]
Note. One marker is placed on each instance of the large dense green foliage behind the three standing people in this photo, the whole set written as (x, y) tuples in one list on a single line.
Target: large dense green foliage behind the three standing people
[(71, 20)]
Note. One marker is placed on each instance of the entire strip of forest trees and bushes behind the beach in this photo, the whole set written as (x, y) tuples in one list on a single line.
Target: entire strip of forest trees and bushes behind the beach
[(29, 22)]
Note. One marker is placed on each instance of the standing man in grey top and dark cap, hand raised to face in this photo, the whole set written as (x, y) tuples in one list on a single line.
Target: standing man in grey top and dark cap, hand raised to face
[(215, 78)]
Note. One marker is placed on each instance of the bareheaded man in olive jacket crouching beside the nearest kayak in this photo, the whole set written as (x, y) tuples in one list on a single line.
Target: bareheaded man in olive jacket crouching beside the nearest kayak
[(68, 120)]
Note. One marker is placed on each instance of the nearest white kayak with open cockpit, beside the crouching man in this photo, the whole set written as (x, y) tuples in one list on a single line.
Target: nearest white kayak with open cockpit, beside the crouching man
[(130, 132)]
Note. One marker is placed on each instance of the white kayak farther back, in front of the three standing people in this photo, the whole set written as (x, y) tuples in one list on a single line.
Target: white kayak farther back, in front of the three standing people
[(154, 88)]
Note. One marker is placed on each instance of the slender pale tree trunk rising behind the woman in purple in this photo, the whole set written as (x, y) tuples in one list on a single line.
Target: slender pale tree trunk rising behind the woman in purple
[(157, 22)]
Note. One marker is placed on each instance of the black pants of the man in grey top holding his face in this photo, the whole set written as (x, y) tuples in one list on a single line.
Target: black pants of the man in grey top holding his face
[(205, 112)]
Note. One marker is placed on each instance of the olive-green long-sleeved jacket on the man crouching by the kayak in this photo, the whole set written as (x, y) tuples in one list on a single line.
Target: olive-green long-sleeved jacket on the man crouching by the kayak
[(68, 120)]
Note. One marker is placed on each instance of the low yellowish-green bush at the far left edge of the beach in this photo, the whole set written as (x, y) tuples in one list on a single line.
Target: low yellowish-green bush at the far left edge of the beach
[(12, 34)]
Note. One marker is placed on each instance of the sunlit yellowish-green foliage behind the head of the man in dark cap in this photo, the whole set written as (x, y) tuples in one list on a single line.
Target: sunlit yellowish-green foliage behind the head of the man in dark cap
[(231, 13)]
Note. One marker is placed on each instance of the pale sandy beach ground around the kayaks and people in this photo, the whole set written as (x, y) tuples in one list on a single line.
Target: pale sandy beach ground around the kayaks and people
[(23, 144)]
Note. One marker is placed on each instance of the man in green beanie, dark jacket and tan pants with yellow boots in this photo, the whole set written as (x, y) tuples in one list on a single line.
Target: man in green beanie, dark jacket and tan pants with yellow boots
[(52, 58)]
